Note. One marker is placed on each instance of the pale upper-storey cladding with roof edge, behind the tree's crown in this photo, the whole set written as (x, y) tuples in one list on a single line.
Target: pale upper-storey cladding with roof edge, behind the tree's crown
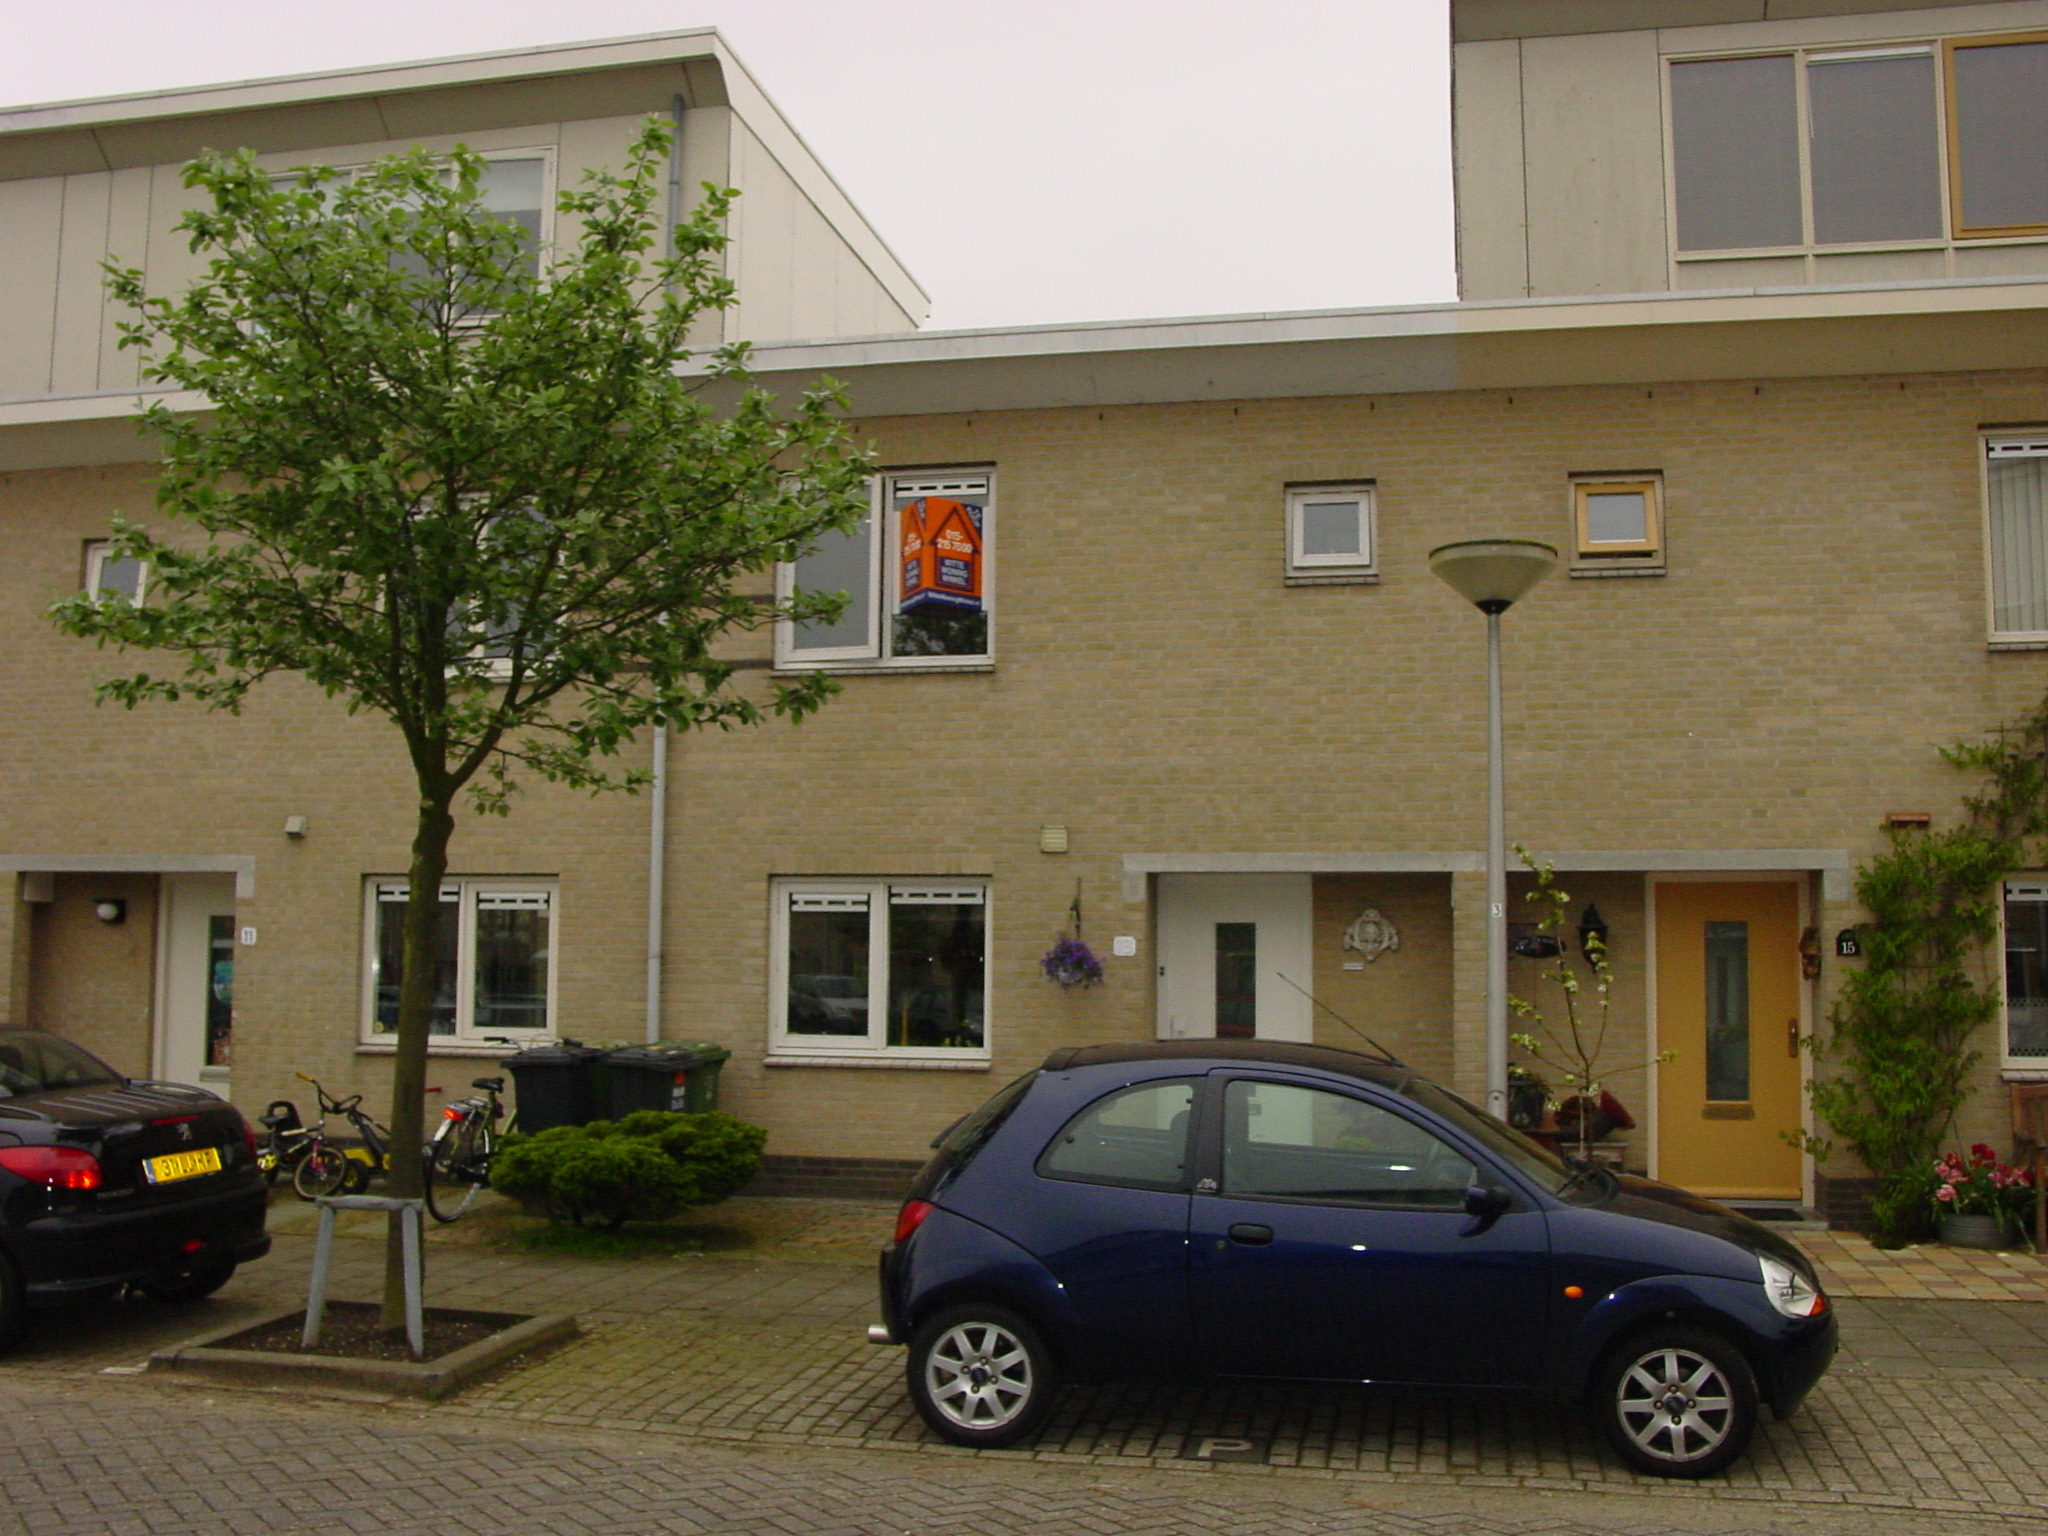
[(85, 183)]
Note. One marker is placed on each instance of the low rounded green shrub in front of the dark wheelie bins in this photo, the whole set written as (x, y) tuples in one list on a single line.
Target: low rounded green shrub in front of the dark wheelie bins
[(642, 1168)]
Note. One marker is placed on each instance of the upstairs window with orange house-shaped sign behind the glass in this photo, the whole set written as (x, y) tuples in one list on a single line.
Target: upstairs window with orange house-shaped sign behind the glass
[(916, 572)]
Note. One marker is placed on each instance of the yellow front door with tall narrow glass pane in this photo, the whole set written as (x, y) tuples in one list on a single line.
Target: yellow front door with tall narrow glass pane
[(1727, 1005)]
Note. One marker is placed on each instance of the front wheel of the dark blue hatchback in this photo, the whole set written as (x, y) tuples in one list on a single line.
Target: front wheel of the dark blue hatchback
[(1678, 1402)]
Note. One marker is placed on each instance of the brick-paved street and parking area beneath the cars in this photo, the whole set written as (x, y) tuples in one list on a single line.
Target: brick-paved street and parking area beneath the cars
[(734, 1394)]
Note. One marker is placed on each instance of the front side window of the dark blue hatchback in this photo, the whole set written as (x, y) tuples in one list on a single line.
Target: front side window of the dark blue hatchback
[(1306, 1144)]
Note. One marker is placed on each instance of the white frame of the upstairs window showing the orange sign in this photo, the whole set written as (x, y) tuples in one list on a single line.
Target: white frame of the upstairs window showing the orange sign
[(884, 534)]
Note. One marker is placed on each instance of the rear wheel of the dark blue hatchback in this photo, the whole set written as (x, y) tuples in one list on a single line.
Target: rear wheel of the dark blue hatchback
[(982, 1375)]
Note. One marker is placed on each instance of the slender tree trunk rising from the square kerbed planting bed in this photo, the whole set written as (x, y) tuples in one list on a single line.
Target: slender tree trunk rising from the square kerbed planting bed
[(415, 1019)]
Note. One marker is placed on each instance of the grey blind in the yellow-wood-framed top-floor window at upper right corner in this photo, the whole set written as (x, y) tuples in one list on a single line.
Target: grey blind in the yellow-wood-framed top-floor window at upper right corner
[(2002, 134)]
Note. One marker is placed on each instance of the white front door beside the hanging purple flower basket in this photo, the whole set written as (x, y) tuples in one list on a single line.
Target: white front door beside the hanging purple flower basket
[(1234, 951)]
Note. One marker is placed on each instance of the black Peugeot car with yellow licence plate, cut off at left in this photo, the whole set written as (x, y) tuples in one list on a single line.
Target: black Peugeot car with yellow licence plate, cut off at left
[(110, 1183)]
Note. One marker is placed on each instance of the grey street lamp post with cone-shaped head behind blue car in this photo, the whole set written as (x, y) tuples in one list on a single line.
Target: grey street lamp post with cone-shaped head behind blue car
[(1492, 574)]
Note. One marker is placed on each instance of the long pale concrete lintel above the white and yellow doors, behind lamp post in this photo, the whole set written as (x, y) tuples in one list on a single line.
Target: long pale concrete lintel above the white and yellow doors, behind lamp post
[(1832, 863)]
